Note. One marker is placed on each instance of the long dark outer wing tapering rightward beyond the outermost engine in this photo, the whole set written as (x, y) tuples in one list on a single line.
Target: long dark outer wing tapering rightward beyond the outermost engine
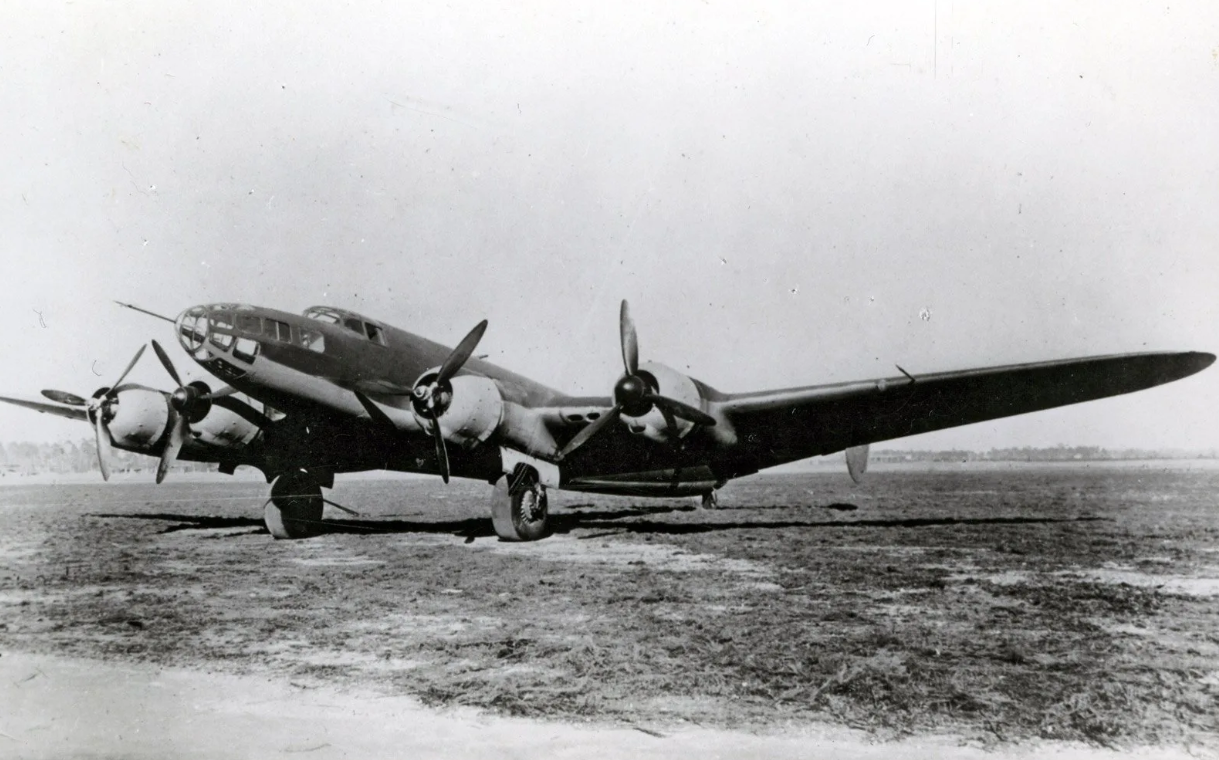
[(793, 424)]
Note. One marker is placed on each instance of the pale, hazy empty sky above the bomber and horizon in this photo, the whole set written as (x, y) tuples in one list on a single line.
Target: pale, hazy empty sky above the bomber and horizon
[(787, 193)]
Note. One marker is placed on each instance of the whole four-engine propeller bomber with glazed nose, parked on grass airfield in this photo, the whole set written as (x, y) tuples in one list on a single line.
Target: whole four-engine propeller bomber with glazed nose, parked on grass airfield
[(342, 393)]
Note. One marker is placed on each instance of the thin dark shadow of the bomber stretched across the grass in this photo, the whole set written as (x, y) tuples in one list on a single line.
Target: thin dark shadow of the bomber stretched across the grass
[(606, 523)]
